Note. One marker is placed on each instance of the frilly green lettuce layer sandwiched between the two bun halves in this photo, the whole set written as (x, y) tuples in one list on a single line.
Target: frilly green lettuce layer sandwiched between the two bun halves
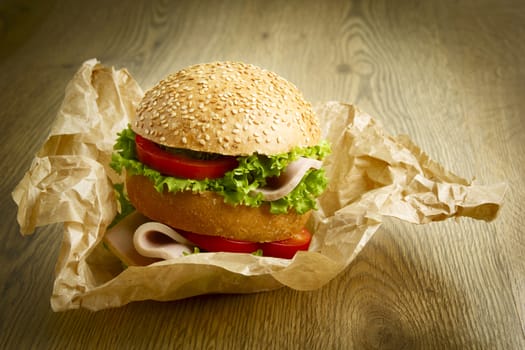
[(237, 185)]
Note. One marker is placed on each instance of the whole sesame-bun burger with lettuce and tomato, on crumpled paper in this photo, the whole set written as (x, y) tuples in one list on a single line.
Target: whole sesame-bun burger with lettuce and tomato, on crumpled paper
[(229, 155)]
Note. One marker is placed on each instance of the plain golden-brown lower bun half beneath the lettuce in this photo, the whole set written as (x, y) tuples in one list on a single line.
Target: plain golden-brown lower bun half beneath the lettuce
[(206, 213)]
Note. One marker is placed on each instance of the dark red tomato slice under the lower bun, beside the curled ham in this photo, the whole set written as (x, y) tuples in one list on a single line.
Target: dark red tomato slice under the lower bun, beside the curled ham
[(220, 244)]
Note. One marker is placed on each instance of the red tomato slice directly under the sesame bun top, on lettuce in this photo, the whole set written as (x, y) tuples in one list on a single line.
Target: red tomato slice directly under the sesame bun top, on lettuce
[(179, 165)]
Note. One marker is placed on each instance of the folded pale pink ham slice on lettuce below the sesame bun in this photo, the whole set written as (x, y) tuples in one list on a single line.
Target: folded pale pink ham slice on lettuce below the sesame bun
[(289, 178)]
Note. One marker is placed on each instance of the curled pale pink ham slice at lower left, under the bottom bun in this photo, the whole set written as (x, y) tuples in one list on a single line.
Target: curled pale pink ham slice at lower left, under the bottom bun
[(156, 240)]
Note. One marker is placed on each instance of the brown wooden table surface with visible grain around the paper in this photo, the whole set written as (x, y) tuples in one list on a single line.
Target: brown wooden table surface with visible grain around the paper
[(448, 73)]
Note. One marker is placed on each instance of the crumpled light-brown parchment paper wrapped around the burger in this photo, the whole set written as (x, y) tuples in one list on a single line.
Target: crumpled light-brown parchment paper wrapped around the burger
[(372, 175)]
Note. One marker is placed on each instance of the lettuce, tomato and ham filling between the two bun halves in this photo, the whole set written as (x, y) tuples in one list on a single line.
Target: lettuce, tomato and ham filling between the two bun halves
[(247, 180)]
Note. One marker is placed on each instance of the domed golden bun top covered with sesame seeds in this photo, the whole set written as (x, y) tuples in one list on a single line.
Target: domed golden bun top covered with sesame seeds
[(229, 108)]
